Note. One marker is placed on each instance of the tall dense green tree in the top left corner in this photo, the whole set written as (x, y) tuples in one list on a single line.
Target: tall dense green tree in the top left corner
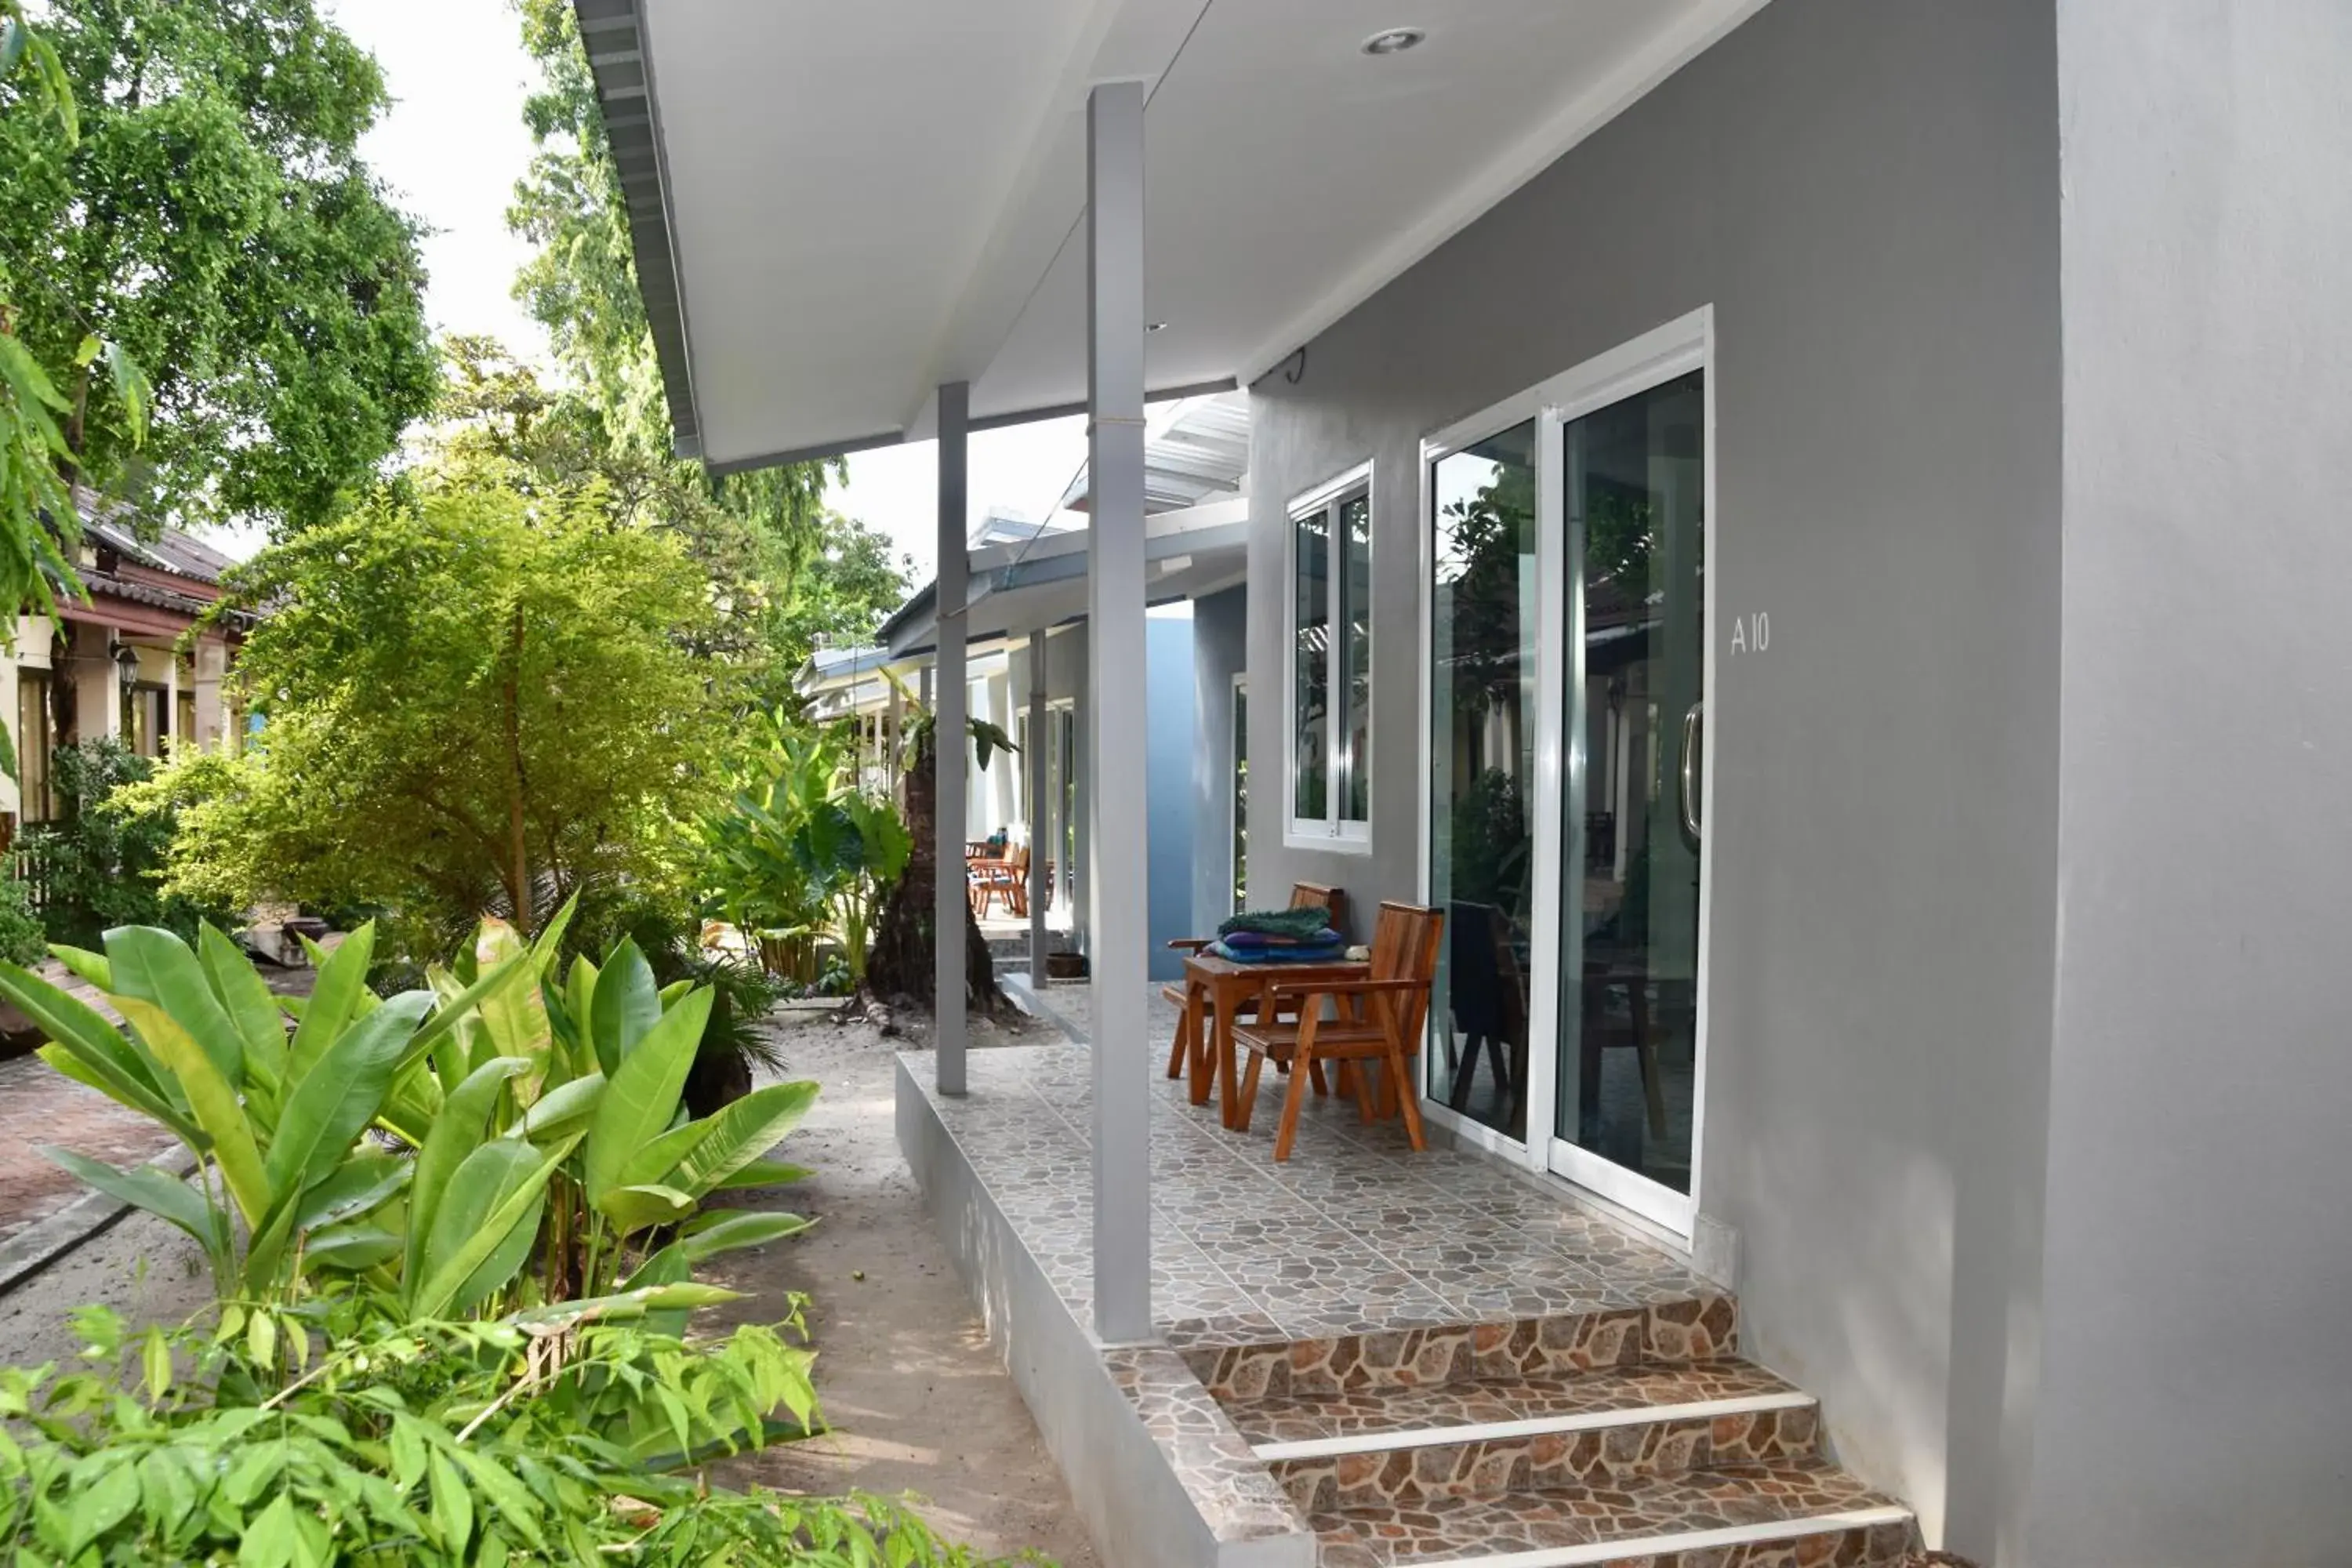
[(218, 225)]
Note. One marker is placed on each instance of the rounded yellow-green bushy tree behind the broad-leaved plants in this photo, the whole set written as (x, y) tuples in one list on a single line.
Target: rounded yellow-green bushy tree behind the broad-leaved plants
[(472, 699)]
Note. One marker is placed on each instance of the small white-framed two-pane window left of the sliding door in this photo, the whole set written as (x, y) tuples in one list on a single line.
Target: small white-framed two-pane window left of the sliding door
[(1332, 666)]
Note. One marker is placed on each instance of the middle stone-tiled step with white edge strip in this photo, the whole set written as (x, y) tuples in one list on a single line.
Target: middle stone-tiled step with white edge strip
[(1483, 1440)]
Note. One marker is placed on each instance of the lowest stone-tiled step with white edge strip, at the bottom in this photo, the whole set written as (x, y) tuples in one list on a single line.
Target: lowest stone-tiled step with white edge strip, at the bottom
[(1782, 1515)]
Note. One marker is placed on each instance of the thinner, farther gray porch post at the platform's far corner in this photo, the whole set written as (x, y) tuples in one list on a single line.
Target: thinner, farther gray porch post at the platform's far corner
[(949, 746)]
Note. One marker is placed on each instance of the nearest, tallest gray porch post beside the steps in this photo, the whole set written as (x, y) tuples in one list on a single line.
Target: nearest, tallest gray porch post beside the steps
[(1123, 1137)]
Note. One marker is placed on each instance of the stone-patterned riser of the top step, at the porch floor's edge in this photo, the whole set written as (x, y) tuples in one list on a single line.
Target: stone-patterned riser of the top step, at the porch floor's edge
[(1678, 1329)]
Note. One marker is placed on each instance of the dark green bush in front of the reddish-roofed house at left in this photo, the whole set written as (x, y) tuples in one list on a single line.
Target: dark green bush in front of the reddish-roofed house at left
[(102, 866)]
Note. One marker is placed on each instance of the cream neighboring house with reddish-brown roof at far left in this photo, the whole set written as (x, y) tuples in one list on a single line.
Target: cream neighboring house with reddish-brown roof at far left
[(114, 664)]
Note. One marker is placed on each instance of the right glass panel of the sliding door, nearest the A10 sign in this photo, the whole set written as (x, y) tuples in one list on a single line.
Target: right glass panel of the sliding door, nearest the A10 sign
[(1633, 485)]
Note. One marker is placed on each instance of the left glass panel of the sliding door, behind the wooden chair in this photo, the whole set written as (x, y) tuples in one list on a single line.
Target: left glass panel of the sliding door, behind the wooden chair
[(1483, 756)]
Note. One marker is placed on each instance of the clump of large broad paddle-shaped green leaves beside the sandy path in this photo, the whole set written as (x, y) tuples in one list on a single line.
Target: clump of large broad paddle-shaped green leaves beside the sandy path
[(544, 1120)]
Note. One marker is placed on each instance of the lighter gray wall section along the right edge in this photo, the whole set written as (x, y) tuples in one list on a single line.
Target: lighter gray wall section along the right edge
[(2200, 1254)]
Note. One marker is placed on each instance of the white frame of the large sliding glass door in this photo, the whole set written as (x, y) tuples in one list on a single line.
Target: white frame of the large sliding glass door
[(1629, 370)]
